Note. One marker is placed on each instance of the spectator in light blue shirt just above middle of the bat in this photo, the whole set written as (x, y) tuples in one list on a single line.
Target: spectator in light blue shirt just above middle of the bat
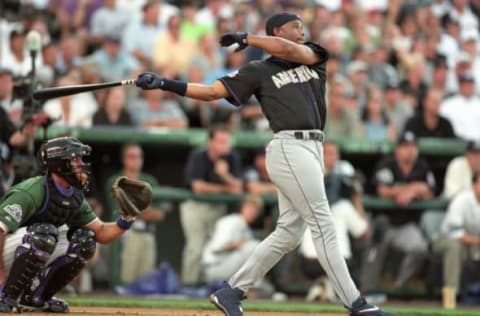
[(112, 62)]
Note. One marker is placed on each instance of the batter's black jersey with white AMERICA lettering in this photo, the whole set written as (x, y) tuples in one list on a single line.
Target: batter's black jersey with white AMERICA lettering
[(292, 95)]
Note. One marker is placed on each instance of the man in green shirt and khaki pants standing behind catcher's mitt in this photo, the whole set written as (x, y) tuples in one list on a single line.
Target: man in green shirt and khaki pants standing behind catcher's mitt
[(139, 251)]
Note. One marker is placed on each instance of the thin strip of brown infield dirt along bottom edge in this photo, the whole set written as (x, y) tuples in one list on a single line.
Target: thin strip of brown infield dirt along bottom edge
[(109, 311)]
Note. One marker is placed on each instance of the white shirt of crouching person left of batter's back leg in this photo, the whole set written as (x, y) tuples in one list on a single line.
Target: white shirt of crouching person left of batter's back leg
[(228, 229)]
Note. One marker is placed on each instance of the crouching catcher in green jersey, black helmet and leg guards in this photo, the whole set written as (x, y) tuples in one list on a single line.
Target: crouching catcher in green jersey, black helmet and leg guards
[(49, 231)]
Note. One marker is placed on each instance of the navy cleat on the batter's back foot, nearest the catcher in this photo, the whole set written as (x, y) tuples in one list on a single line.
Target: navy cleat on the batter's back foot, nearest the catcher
[(228, 300)]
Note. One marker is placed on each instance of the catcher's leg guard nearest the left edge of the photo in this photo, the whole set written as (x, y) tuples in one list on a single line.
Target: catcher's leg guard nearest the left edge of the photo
[(30, 257)]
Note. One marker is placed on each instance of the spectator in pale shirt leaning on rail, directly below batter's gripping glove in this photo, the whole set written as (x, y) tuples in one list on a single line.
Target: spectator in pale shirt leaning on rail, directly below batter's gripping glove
[(157, 108)]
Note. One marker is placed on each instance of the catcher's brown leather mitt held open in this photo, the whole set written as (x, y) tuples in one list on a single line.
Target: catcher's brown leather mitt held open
[(133, 195)]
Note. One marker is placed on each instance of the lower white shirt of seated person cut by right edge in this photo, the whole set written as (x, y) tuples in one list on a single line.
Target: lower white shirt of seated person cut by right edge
[(463, 216)]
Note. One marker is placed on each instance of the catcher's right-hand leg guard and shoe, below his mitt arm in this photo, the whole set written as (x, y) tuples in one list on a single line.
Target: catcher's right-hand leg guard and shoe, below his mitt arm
[(60, 272)]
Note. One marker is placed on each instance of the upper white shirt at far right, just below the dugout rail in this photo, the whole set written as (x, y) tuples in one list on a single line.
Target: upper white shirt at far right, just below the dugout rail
[(458, 177)]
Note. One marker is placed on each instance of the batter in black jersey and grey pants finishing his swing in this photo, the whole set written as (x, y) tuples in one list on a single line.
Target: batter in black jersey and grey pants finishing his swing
[(290, 86)]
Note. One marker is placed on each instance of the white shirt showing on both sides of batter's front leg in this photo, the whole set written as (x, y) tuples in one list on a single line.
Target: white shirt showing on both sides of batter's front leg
[(347, 220)]
